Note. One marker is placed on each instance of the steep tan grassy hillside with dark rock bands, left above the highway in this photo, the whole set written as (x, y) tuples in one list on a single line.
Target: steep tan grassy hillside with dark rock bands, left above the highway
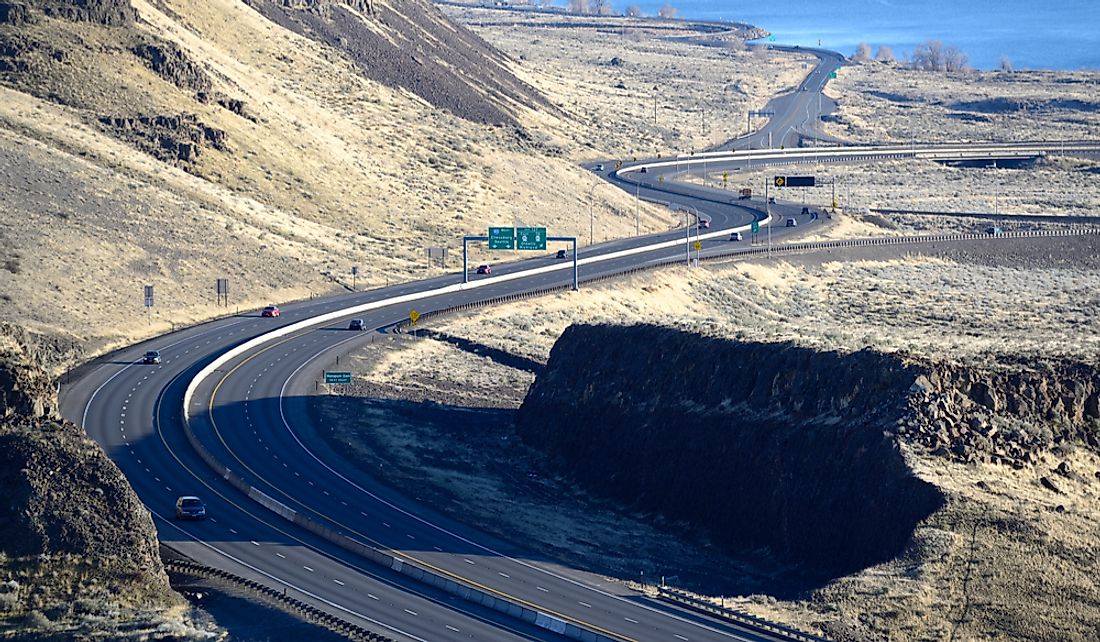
[(147, 143)]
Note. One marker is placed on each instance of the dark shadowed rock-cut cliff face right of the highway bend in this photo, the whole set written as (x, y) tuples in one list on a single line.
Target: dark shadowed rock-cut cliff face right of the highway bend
[(775, 446)]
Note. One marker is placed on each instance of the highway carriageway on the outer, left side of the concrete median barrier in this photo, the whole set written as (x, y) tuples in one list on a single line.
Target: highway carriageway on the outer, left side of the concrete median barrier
[(133, 411)]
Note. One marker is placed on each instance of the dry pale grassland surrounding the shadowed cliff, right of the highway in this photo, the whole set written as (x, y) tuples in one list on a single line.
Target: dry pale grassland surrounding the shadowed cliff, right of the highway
[(1003, 545)]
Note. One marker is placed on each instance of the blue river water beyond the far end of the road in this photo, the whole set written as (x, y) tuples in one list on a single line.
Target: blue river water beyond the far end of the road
[(1033, 35)]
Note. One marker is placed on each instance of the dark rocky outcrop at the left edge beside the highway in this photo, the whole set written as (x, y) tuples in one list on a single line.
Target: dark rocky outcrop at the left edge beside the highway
[(61, 497)]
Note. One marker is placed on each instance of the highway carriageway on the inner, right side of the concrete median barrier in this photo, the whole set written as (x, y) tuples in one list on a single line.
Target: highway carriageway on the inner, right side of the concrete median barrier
[(258, 427)]
